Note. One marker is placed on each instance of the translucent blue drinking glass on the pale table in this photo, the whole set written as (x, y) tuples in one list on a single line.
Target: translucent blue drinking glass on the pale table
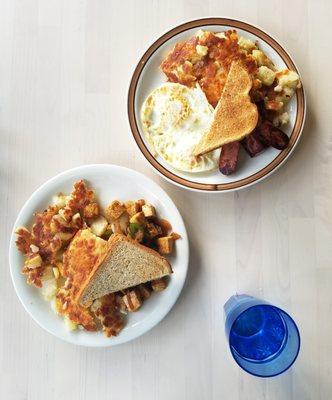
[(264, 340)]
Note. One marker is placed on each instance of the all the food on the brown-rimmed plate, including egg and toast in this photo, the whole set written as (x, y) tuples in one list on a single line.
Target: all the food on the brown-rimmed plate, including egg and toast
[(217, 64)]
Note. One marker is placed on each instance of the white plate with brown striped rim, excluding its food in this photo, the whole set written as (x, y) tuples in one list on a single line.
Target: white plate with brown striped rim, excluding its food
[(148, 76)]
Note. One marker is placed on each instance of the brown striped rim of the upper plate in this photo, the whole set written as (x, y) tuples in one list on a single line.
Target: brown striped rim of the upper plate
[(294, 137)]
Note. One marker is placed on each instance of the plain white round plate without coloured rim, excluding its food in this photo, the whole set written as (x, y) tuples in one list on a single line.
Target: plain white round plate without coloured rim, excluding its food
[(109, 182)]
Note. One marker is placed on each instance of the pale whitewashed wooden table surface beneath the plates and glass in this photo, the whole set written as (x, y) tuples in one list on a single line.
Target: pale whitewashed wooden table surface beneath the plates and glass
[(64, 73)]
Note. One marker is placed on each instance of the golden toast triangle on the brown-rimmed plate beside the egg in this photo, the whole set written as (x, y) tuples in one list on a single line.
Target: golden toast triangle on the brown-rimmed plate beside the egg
[(235, 115)]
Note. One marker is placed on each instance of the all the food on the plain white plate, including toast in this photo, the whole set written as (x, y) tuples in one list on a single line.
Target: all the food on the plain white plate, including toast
[(95, 266)]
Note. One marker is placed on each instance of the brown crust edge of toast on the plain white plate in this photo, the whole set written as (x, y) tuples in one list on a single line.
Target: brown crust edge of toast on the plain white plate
[(113, 241)]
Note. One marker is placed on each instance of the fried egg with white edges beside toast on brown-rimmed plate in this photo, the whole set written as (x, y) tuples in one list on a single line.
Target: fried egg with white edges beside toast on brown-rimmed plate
[(174, 119)]
